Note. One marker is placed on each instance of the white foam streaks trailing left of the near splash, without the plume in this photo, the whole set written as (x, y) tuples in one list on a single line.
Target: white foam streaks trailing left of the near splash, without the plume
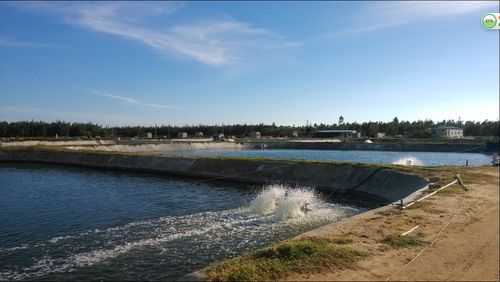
[(162, 232)]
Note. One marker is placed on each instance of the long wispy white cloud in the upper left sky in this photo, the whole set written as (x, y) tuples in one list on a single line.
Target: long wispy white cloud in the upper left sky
[(218, 42)]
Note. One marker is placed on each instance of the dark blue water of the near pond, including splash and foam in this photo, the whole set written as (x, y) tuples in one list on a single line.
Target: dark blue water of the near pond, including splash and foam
[(78, 224)]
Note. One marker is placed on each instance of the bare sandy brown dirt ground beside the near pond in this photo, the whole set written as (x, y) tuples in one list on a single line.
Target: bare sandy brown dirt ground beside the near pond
[(460, 229)]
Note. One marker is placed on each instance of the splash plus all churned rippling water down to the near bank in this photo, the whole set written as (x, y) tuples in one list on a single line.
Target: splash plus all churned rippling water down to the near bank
[(276, 213)]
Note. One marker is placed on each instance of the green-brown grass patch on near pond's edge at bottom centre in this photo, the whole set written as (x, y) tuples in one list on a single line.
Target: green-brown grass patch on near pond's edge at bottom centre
[(296, 256)]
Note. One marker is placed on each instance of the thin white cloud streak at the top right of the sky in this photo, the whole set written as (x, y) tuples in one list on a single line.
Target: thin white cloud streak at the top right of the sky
[(382, 15)]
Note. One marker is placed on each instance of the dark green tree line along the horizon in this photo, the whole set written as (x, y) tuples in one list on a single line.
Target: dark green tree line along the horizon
[(413, 129)]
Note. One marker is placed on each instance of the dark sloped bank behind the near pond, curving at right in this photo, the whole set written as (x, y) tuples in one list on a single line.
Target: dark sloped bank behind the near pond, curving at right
[(379, 184)]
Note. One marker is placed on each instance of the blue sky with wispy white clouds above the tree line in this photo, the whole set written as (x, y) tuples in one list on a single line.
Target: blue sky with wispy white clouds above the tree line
[(180, 63)]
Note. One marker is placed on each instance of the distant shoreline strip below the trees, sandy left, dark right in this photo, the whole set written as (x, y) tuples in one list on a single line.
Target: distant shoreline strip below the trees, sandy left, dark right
[(458, 146)]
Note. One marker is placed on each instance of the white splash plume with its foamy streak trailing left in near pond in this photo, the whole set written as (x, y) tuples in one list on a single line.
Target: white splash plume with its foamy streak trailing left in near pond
[(276, 207)]
